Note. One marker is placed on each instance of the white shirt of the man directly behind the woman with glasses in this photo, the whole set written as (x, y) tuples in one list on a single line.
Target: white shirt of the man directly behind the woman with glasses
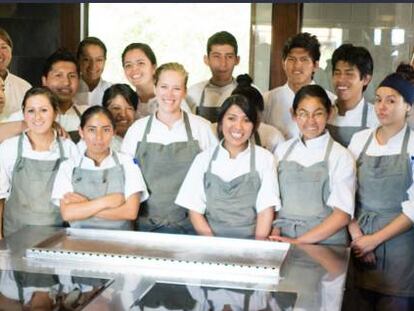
[(278, 104)]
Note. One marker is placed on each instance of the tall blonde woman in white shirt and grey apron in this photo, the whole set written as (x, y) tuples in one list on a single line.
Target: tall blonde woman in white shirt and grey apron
[(165, 143)]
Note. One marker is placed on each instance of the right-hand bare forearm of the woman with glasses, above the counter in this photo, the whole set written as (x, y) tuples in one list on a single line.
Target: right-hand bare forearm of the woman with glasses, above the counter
[(332, 224)]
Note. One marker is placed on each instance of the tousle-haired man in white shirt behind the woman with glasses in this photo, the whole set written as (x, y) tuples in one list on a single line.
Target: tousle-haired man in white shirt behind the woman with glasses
[(300, 57)]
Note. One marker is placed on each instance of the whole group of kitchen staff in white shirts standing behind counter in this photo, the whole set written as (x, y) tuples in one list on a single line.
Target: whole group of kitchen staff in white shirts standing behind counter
[(297, 164)]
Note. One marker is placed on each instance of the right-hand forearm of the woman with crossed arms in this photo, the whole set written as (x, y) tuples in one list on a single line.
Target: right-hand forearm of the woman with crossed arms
[(126, 211)]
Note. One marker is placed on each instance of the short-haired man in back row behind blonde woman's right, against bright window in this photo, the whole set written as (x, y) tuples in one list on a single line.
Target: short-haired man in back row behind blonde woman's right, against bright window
[(206, 97)]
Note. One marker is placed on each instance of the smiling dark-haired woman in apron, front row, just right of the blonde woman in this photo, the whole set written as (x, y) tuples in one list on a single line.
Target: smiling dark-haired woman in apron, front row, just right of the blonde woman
[(231, 189)]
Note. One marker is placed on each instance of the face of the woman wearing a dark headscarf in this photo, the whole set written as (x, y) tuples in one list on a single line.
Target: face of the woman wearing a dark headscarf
[(390, 107)]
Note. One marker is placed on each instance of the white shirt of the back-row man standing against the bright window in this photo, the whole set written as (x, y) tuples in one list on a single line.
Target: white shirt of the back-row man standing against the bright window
[(214, 95)]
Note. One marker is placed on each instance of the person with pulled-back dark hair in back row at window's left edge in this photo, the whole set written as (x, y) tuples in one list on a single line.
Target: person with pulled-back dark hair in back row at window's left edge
[(91, 57)]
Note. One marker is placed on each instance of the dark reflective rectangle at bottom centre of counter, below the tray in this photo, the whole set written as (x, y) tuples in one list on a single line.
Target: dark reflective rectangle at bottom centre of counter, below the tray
[(165, 296)]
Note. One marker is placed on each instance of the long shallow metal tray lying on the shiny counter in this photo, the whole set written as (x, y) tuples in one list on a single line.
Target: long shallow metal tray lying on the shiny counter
[(220, 258)]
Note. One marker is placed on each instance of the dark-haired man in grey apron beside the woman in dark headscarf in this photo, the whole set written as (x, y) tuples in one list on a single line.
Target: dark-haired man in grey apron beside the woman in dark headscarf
[(352, 68)]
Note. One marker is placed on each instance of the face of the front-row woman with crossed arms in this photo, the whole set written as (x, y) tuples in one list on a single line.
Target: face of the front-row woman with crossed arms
[(97, 134)]
